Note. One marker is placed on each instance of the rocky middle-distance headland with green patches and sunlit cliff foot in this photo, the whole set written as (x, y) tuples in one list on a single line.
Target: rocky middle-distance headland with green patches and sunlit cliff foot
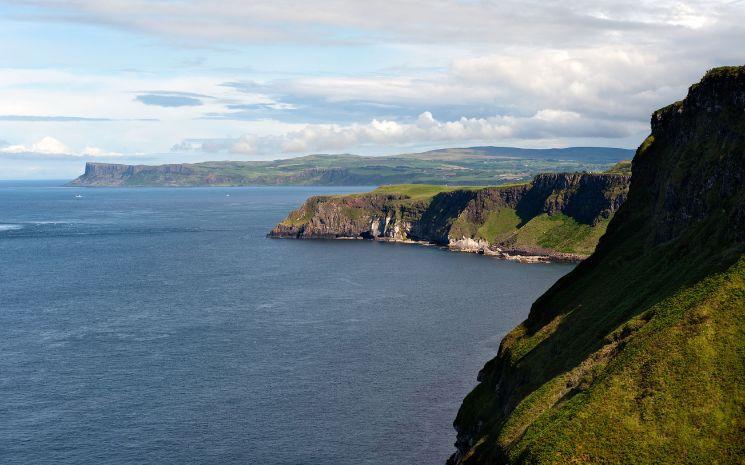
[(556, 216)]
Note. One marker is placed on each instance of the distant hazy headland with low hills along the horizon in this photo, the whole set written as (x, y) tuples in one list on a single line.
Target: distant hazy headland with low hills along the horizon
[(467, 166)]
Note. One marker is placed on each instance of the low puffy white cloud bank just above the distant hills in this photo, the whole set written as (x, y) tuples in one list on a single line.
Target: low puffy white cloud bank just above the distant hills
[(544, 124)]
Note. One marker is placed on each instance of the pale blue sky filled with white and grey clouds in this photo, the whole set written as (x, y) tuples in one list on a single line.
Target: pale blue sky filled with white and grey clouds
[(168, 81)]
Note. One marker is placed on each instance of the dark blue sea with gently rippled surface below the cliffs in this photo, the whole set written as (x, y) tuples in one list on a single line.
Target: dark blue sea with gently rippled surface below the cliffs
[(161, 326)]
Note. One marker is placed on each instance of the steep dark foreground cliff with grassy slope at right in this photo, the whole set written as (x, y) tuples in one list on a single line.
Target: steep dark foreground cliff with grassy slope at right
[(636, 356)]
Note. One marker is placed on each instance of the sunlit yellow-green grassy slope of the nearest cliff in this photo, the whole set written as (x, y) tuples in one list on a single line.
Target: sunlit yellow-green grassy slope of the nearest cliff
[(672, 385)]
